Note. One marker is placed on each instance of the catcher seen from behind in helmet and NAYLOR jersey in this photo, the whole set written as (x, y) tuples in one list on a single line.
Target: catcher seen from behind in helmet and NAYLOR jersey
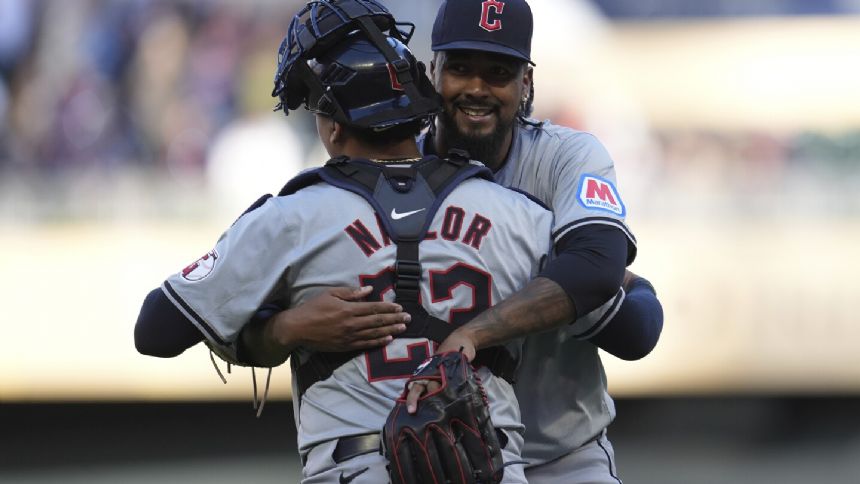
[(378, 215)]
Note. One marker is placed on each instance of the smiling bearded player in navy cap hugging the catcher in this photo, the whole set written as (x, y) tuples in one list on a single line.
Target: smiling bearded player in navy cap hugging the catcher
[(561, 383)]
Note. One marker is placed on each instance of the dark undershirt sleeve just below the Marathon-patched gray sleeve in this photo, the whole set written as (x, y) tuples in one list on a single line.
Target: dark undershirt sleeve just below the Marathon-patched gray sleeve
[(589, 265)]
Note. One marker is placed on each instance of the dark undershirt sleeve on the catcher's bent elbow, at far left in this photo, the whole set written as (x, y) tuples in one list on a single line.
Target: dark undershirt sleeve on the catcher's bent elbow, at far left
[(161, 329)]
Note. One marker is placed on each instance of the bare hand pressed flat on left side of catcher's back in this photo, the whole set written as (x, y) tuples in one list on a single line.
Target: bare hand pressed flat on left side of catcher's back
[(338, 319)]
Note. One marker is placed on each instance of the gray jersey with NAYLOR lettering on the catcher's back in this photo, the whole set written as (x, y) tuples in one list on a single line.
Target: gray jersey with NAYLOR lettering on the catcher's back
[(484, 243)]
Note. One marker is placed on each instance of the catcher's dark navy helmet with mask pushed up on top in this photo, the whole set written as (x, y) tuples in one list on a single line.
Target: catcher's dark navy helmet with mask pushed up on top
[(347, 59)]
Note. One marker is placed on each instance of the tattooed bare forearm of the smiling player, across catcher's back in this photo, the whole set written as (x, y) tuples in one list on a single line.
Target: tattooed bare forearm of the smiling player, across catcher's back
[(540, 306)]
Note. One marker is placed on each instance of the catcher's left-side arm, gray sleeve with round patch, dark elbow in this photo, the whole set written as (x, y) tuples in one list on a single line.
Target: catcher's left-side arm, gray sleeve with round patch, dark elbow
[(210, 297)]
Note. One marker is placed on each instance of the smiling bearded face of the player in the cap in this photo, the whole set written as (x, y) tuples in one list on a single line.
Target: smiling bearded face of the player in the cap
[(481, 95)]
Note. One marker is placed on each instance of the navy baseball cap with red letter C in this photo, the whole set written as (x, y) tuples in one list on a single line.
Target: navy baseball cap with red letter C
[(500, 26)]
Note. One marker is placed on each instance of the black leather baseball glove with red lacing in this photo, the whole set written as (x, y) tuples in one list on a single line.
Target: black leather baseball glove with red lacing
[(450, 438)]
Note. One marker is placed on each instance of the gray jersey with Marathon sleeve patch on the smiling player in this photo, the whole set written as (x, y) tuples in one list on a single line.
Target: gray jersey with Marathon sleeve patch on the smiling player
[(561, 382)]
